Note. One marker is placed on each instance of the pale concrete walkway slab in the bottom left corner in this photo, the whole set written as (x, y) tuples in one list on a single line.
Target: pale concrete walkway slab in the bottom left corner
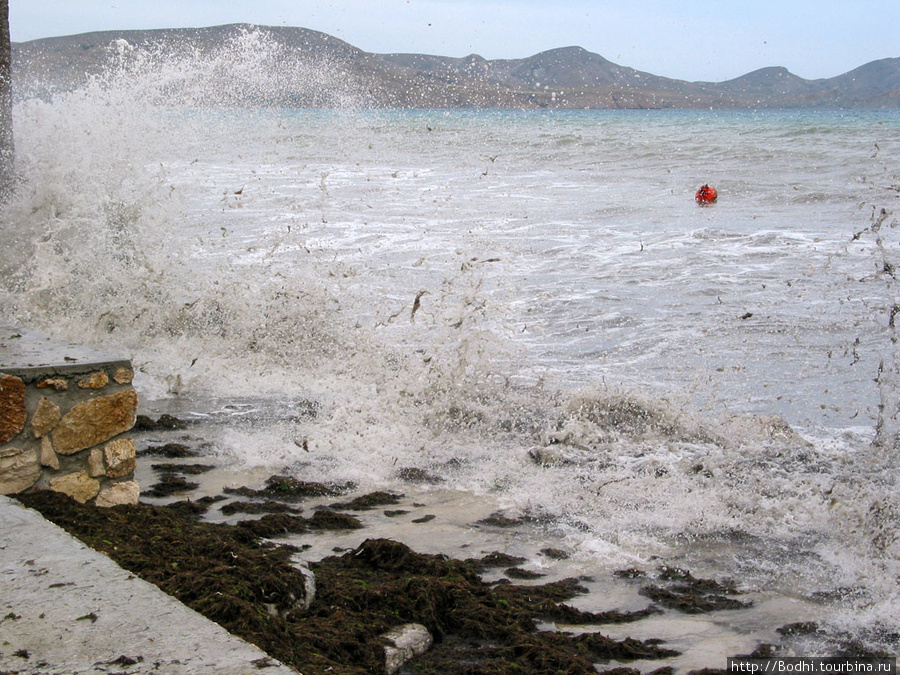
[(67, 609)]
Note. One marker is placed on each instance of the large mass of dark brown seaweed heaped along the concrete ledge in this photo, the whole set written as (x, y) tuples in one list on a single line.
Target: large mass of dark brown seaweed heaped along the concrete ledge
[(252, 590)]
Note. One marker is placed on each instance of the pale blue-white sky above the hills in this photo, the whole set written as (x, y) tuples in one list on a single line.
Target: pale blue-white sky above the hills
[(691, 40)]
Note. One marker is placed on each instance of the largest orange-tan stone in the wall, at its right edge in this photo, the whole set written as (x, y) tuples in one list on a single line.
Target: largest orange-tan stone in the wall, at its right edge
[(91, 422)]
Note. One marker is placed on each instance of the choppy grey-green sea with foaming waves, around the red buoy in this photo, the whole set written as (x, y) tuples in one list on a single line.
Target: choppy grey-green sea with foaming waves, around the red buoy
[(527, 305)]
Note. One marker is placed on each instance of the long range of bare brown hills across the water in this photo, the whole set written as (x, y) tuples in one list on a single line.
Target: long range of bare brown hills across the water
[(568, 77)]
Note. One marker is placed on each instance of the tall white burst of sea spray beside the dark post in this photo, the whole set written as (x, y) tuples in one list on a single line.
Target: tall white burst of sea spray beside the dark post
[(98, 213)]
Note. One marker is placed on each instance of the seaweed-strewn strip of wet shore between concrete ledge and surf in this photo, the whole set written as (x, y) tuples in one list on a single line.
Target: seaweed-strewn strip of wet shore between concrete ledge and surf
[(490, 609)]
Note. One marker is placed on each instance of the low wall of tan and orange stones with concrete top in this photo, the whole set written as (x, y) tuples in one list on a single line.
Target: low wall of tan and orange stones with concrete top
[(65, 413)]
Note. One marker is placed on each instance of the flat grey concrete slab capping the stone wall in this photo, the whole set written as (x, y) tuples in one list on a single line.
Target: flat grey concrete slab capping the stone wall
[(30, 355)]
